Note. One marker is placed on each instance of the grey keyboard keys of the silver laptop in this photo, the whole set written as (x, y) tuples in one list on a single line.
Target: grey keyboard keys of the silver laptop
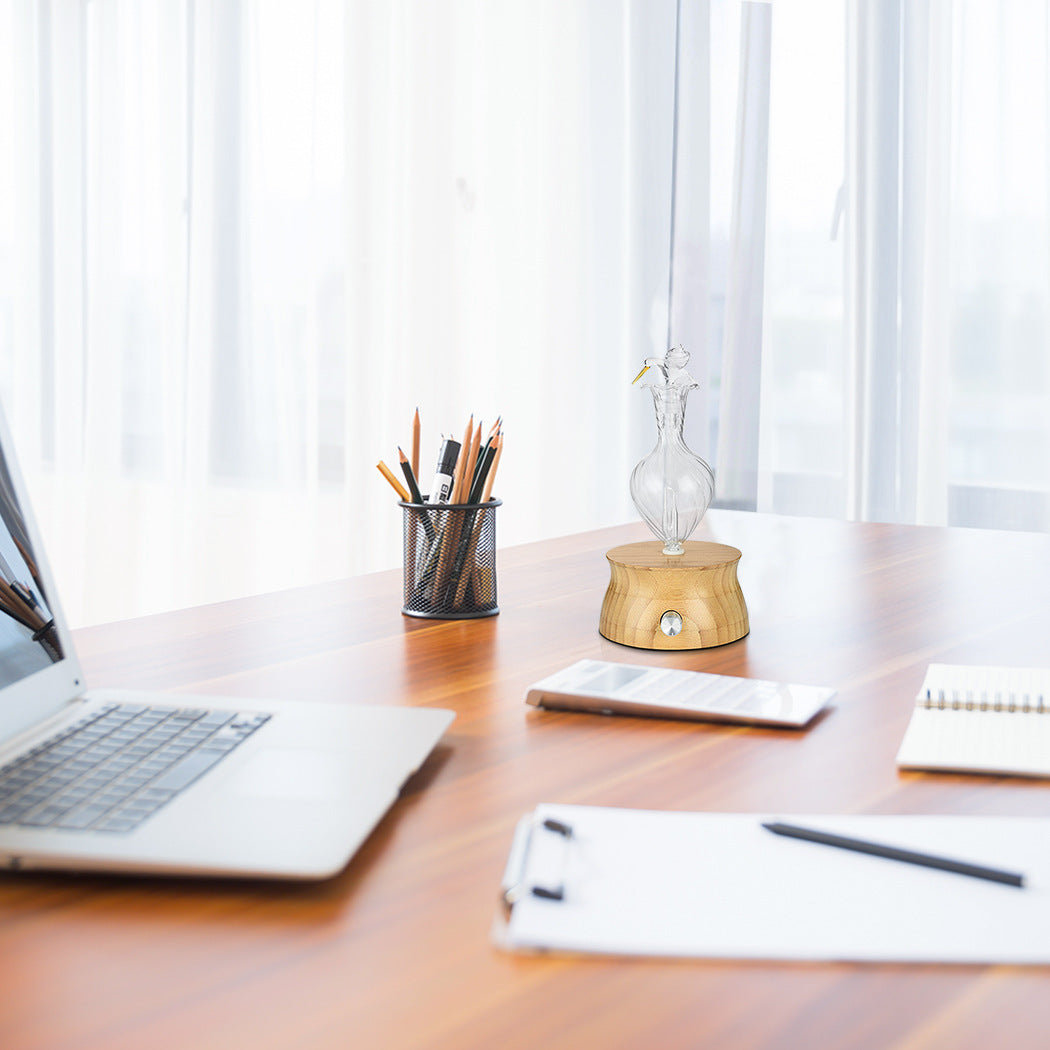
[(118, 766)]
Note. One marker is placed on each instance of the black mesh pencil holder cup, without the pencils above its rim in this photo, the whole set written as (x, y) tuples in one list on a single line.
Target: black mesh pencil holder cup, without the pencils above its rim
[(450, 560)]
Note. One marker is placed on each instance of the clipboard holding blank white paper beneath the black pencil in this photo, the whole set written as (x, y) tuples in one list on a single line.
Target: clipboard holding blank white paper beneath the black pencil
[(717, 886)]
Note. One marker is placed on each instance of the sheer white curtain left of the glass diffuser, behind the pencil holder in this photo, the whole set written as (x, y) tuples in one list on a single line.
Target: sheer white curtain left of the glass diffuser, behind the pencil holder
[(243, 241)]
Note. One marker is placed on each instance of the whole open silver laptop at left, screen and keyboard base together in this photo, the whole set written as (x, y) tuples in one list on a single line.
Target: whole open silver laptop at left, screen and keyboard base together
[(131, 782)]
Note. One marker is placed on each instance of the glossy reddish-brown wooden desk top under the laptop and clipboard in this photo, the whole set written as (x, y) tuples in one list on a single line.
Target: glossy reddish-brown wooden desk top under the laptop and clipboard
[(395, 953)]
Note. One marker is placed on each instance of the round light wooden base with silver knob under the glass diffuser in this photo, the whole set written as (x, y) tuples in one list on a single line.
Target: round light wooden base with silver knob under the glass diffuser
[(688, 601)]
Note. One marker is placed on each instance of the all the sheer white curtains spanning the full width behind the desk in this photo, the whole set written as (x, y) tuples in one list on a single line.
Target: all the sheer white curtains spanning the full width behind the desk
[(242, 241)]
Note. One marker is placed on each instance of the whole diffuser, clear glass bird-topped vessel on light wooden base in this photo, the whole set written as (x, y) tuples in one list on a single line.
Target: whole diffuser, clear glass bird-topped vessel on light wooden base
[(673, 593)]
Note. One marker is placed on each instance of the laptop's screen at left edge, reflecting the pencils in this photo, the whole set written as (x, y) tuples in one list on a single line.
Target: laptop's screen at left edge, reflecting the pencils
[(29, 640)]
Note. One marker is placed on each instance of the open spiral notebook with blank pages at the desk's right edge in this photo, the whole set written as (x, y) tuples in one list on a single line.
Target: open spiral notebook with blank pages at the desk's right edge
[(981, 720)]
